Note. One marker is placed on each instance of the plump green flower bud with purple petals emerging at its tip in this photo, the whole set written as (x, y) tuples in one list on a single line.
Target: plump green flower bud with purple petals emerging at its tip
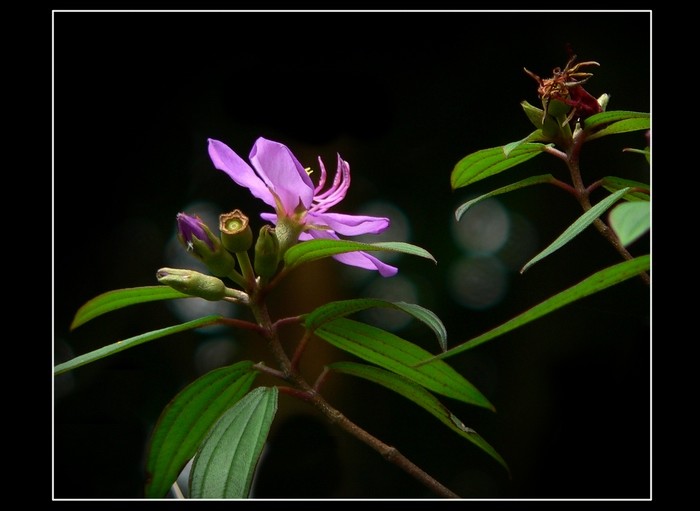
[(198, 239)]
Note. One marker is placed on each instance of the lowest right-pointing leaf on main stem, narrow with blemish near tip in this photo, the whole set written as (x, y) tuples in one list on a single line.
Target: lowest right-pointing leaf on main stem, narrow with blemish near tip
[(421, 397)]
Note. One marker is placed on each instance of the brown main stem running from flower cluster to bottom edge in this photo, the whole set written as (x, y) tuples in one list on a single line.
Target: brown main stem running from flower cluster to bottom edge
[(303, 390)]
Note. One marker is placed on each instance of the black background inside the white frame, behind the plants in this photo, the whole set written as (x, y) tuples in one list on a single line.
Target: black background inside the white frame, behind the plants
[(402, 97)]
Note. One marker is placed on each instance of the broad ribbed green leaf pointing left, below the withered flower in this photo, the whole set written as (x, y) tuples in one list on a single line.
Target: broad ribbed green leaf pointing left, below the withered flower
[(489, 162)]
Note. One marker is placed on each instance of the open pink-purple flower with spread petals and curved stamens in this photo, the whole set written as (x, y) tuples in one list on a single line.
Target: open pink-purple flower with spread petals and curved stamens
[(279, 180)]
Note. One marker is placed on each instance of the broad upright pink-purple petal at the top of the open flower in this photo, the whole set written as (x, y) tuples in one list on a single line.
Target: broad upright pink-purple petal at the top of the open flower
[(277, 166)]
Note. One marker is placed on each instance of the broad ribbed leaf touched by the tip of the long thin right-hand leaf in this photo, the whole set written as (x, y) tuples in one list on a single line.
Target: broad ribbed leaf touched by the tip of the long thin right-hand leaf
[(400, 356)]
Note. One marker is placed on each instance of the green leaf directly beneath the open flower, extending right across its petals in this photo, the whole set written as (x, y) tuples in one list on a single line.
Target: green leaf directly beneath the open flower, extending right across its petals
[(311, 250)]
